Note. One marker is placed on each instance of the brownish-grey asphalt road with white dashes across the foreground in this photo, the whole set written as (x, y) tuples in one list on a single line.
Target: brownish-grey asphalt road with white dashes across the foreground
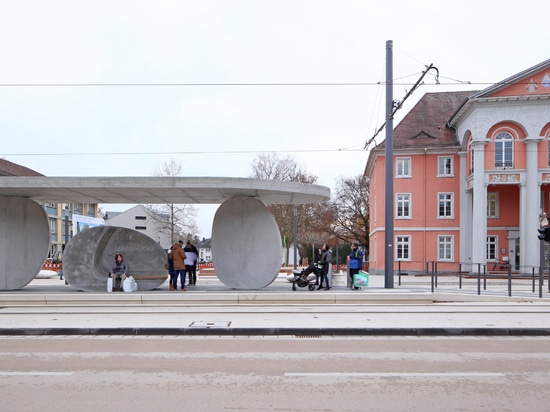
[(268, 373)]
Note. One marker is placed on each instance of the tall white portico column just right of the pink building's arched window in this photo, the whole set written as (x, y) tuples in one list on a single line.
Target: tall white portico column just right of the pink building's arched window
[(530, 208)]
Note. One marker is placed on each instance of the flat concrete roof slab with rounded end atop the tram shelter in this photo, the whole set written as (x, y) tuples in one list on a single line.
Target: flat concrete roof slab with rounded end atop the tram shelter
[(159, 190)]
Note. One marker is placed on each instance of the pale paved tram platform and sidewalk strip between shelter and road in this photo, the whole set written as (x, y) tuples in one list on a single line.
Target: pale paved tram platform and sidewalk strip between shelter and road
[(50, 307)]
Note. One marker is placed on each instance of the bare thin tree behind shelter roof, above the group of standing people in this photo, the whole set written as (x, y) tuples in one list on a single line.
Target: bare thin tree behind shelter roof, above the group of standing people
[(177, 220)]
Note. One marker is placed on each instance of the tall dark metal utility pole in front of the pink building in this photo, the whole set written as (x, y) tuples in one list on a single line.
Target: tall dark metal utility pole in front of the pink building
[(389, 257)]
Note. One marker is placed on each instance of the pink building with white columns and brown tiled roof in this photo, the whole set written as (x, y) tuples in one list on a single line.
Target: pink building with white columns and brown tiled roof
[(471, 177)]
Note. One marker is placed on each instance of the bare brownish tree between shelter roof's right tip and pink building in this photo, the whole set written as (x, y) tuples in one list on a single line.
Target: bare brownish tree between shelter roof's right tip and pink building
[(350, 210)]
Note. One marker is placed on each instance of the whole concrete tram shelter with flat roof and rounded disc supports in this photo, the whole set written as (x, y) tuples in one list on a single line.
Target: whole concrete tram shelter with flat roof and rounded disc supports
[(246, 244)]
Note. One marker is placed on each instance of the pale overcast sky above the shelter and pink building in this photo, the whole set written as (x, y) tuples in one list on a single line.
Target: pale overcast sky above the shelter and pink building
[(117, 87)]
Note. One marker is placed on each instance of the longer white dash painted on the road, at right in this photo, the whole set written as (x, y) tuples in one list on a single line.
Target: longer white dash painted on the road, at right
[(399, 375)]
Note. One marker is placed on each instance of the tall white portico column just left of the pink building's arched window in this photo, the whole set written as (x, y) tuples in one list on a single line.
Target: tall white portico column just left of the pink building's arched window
[(479, 211)]
